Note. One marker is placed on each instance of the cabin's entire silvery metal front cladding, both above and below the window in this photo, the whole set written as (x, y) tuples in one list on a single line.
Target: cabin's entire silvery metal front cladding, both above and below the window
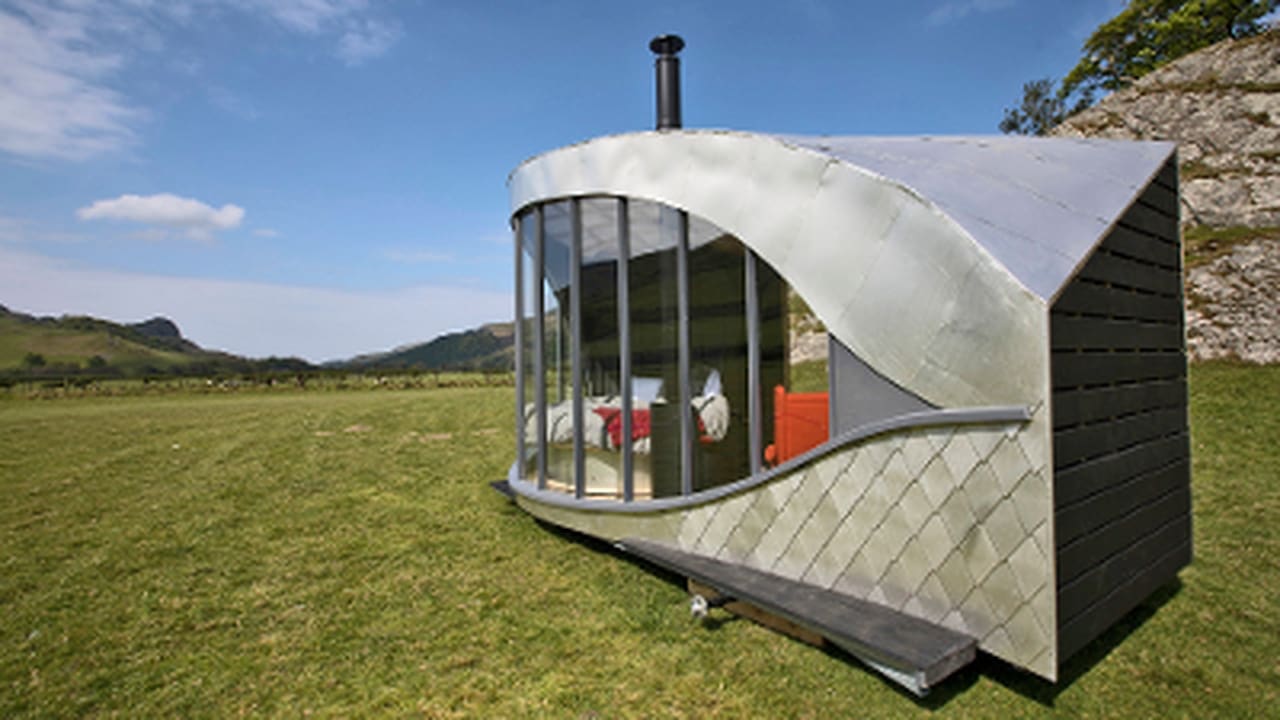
[(947, 522)]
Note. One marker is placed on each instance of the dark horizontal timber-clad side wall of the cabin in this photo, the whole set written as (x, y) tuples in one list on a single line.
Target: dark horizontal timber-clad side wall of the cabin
[(1122, 454)]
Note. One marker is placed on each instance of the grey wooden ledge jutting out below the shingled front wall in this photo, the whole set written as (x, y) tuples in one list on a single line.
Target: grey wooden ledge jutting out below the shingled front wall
[(911, 651)]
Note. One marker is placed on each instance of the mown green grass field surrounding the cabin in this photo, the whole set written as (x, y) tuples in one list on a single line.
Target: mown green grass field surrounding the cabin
[(341, 554)]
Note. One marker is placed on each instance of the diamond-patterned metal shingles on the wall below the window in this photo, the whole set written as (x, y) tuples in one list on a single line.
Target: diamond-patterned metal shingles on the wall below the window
[(947, 525)]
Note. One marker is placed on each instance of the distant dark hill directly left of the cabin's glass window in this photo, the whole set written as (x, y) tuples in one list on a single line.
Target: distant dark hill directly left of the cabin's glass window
[(488, 348)]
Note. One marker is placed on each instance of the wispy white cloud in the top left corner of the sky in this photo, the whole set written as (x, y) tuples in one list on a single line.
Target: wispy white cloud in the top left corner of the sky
[(60, 61)]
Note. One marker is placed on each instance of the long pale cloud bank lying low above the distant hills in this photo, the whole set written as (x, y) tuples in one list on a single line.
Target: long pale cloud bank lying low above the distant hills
[(254, 320)]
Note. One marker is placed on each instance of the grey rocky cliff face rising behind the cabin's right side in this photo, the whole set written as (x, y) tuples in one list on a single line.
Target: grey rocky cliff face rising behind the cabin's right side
[(1223, 107)]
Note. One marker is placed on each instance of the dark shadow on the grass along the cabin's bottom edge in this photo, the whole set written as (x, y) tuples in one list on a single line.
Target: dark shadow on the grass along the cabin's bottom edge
[(1022, 683)]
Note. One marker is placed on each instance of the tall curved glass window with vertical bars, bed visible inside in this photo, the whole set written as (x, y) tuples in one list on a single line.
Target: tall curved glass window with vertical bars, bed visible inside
[(655, 352)]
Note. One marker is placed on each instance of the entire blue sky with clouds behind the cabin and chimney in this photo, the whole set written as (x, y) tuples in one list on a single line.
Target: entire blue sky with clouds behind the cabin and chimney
[(323, 179)]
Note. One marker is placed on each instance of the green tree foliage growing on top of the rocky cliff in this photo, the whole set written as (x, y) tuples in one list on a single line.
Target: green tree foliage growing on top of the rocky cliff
[(1146, 35)]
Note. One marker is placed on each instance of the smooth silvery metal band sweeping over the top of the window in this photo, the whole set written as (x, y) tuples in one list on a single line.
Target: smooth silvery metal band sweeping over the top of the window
[(890, 275)]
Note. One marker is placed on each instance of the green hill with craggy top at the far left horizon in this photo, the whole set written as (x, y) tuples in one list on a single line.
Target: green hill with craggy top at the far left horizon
[(79, 345)]
